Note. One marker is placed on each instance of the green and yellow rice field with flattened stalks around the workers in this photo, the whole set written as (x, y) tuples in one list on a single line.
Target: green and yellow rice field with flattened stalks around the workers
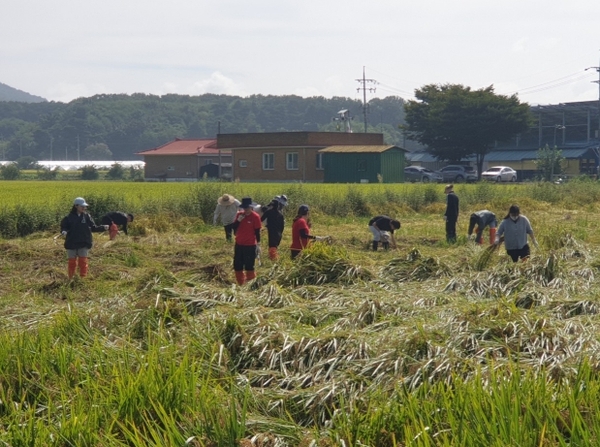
[(428, 345)]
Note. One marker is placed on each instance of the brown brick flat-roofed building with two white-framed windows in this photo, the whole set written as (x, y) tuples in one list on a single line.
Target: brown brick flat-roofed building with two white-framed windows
[(286, 156)]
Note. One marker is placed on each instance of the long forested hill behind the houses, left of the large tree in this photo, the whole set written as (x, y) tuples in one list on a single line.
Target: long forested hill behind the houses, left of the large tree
[(131, 123)]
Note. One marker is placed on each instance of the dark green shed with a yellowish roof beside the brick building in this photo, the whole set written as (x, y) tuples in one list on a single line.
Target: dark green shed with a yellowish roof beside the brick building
[(363, 164)]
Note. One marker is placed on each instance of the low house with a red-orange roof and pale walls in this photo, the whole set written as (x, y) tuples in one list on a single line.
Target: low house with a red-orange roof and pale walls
[(185, 159)]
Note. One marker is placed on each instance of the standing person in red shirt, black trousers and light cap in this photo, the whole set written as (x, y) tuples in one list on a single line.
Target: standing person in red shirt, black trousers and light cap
[(247, 226)]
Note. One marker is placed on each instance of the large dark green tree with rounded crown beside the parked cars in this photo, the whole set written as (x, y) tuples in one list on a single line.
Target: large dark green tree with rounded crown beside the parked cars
[(455, 122)]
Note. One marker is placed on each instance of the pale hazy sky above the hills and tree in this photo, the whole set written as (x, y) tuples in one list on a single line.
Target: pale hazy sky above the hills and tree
[(65, 49)]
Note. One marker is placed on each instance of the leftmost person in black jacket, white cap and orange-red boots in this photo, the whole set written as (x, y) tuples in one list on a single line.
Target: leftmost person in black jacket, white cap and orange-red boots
[(77, 228)]
